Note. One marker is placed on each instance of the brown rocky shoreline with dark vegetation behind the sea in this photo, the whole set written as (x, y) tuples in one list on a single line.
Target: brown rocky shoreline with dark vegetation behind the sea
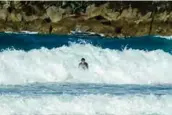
[(114, 19)]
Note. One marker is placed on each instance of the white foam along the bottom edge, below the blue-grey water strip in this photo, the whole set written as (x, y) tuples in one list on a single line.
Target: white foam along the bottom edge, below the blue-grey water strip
[(86, 105)]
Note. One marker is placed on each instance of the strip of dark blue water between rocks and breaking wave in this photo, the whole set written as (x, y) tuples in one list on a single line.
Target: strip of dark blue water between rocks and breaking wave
[(35, 41)]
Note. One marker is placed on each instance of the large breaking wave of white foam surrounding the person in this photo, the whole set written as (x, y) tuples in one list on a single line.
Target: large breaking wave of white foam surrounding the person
[(105, 66)]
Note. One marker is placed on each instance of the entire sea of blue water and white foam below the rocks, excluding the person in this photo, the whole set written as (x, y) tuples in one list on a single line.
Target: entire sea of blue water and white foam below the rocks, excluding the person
[(39, 75)]
